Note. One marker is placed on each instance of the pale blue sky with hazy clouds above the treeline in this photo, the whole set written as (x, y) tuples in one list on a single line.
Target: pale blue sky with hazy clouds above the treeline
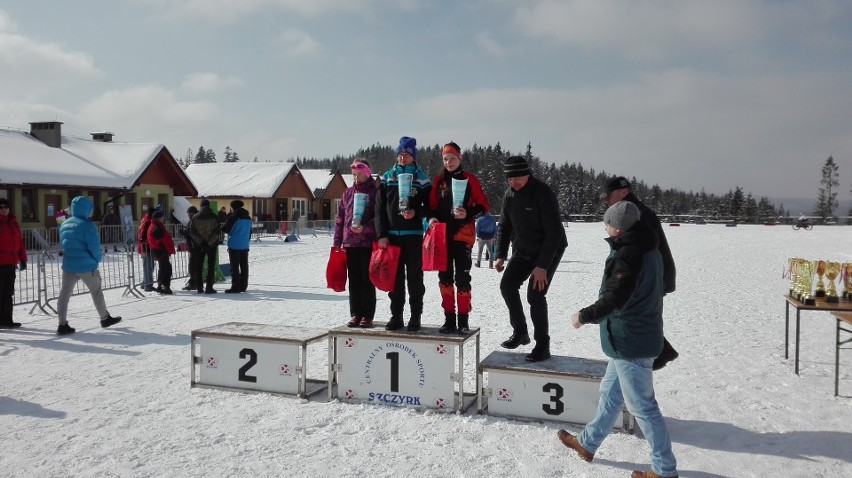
[(684, 94)]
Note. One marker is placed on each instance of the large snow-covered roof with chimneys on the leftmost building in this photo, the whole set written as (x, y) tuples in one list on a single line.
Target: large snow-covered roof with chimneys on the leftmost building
[(78, 162)]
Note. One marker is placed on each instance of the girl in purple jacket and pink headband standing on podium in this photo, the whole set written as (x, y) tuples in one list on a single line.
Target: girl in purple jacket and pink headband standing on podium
[(356, 235)]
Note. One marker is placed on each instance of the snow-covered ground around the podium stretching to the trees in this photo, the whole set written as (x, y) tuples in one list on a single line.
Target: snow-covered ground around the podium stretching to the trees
[(117, 402)]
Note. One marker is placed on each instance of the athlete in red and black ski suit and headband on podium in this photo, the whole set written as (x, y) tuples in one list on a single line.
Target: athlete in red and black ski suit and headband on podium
[(460, 235)]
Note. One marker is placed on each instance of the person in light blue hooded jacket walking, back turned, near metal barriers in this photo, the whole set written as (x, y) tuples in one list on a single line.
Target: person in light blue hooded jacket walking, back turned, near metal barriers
[(81, 254)]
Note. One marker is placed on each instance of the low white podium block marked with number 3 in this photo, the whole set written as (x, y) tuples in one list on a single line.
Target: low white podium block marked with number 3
[(562, 389)]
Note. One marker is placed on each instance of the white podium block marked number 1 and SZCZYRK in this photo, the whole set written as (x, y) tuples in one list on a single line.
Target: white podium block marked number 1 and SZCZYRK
[(423, 369)]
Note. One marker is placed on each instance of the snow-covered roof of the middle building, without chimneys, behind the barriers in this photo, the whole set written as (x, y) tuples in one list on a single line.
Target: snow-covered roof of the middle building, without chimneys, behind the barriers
[(248, 180)]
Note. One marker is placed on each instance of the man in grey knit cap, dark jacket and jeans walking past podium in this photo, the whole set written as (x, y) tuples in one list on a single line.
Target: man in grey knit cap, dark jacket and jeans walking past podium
[(629, 314)]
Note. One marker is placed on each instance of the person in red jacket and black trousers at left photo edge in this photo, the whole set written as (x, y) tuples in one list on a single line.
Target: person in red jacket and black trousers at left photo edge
[(12, 253)]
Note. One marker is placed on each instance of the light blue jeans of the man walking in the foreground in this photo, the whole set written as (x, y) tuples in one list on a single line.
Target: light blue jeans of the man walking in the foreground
[(631, 382)]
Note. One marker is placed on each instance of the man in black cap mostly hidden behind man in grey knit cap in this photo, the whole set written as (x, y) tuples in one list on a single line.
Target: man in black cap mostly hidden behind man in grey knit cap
[(618, 189)]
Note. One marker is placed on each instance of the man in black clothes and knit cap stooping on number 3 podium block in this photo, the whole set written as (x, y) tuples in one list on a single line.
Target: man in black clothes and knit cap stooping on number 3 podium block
[(530, 222)]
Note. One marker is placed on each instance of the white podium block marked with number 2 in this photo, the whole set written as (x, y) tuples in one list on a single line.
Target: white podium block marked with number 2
[(254, 357)]
